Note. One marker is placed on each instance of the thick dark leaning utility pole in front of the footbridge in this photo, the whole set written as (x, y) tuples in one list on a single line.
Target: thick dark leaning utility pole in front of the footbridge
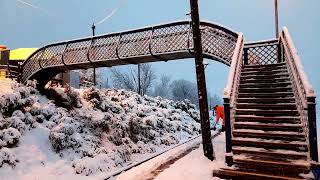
[(201, 81)]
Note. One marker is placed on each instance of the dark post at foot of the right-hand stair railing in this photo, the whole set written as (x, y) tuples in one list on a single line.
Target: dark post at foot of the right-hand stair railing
[(312, 122)]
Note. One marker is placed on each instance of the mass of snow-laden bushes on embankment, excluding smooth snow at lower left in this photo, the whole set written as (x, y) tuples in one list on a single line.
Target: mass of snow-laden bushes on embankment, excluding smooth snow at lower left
[(97, 130)]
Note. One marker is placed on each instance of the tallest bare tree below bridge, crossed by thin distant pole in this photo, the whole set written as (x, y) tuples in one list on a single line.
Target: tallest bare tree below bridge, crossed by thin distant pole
[(130, 80)]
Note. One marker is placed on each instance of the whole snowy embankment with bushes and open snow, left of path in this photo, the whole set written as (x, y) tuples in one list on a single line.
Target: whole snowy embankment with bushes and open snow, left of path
[(95, 133)]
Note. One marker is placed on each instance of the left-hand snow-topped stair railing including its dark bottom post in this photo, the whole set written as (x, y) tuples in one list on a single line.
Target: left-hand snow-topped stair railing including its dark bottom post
[(231, 93)]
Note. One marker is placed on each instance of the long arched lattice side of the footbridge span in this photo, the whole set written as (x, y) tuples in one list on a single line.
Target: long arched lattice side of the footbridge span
[(156, 43)]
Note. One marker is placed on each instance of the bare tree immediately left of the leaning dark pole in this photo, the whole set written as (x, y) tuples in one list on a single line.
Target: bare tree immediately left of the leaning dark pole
[(183, 89)]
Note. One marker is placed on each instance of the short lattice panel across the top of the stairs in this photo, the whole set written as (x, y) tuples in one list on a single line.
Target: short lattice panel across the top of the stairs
[(261, 53)]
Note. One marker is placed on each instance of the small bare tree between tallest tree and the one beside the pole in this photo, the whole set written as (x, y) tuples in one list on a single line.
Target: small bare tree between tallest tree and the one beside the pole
[(162, 89)]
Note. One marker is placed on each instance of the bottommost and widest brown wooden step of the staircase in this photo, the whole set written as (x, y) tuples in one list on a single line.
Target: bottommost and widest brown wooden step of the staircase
[(238, 174)]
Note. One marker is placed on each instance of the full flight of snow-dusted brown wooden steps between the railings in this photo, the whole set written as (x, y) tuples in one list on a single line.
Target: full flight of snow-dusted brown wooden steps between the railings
[(268, 141)]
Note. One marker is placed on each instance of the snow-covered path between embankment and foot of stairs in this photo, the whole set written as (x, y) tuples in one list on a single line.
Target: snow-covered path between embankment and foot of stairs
[(180, 163)]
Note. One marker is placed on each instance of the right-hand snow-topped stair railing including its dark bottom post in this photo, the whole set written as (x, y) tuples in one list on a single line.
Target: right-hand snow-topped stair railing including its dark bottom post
[(303, 91)]
